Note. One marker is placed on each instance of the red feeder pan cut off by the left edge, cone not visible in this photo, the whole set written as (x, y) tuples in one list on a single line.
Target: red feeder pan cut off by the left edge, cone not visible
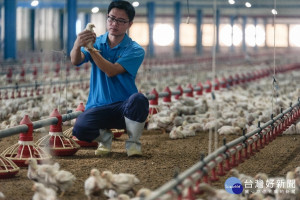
[(8, 168)]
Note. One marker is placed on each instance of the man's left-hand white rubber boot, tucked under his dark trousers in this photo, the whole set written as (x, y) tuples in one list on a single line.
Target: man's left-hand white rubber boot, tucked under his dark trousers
[(104, 142)]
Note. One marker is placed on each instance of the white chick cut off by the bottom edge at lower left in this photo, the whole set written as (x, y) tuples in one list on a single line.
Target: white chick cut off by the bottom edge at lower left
[(41, 192)]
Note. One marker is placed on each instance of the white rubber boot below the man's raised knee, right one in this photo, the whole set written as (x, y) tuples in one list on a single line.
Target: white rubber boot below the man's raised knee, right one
[(134, 130)]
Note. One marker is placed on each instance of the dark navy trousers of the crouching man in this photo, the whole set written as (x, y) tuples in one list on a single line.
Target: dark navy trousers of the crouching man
[(88, 123)]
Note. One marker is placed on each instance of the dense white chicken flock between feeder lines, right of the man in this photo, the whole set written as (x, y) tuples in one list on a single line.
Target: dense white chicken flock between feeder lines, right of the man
[(230, 112)]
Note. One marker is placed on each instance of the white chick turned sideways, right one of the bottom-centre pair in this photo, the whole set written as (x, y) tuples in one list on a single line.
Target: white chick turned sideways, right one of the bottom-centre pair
[(121, 183)]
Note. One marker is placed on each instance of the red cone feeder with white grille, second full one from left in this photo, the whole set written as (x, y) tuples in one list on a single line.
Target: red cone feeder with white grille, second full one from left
[(56, 142)]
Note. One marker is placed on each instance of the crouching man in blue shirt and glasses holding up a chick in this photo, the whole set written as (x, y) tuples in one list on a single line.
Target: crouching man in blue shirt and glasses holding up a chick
[(114, 101)]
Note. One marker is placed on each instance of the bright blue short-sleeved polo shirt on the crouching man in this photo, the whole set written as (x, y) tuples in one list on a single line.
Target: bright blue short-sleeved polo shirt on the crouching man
[(106, 90)]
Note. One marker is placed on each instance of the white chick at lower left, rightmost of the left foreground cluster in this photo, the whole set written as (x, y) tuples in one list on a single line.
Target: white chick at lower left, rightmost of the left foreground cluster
[(61, 180)]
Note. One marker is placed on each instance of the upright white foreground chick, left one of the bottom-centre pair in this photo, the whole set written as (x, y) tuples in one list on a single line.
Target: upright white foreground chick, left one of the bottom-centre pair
[(94, 185)]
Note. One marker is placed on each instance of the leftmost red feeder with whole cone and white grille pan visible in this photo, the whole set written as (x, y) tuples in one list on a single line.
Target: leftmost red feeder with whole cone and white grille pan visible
[(25, 148)]
